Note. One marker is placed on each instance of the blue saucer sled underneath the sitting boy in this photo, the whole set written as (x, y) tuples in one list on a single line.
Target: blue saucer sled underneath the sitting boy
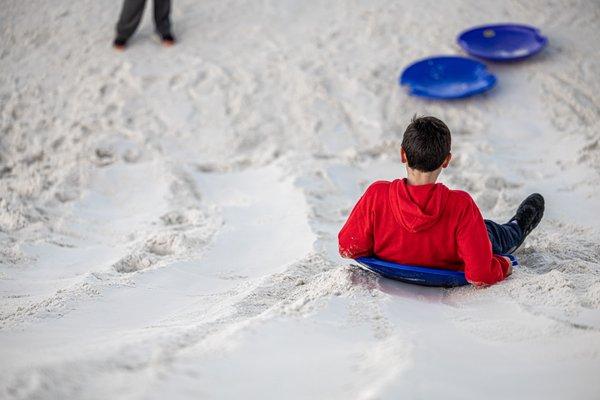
[(425, 276)]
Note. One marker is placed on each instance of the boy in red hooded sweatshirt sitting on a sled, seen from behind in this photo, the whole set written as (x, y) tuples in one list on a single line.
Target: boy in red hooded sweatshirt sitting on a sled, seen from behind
[(416, 221)]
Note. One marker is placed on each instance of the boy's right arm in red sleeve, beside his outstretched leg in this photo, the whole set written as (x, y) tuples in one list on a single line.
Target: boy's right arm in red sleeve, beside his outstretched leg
[(474, 247)]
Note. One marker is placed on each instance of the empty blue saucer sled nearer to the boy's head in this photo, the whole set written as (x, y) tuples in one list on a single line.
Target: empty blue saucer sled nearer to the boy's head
[(447, 77)]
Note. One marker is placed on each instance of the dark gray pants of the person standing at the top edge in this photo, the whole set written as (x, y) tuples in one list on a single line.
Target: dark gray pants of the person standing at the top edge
[(132, 12)]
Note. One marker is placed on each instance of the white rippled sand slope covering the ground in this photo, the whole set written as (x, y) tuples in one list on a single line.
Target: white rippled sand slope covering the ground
[(169, 217)]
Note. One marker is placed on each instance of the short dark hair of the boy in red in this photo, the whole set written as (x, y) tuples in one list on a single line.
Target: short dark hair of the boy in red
[(426, 143)]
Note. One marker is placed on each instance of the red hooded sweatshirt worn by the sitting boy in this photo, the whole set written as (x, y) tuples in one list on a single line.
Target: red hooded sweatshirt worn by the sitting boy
[(428, 225)]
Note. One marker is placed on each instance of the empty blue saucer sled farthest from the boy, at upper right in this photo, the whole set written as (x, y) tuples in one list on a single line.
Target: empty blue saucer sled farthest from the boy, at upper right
[(502, 42)]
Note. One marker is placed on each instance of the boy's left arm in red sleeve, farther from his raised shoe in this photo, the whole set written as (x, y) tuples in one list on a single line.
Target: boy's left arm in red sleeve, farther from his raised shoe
[(356, 237)]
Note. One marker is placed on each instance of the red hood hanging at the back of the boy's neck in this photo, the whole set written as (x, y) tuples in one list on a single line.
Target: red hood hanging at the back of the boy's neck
[(417, 207)]
